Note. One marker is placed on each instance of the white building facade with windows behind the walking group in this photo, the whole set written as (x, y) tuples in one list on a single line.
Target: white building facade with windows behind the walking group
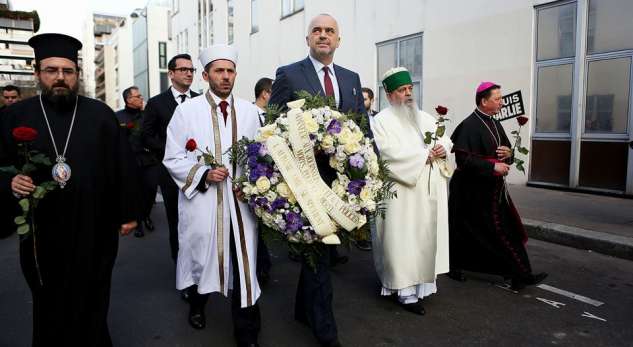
[(571, 61)]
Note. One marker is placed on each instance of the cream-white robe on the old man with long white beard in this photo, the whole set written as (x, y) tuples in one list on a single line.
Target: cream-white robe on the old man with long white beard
[(411, 242)]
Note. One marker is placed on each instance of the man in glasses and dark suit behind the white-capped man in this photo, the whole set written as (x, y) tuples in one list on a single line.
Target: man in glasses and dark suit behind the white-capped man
[(158, 113)]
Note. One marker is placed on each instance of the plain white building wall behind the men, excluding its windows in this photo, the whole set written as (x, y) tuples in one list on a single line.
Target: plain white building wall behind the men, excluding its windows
[(464, 43)]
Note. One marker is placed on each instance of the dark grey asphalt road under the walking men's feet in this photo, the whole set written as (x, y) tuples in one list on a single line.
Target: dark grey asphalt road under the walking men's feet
[(146, 310)]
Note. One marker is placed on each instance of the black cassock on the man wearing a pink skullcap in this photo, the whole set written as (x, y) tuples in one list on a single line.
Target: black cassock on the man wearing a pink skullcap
[(486, 232)]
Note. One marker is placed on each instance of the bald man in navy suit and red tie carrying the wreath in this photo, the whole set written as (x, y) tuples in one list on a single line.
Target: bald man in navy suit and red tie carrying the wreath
[(317, 74)]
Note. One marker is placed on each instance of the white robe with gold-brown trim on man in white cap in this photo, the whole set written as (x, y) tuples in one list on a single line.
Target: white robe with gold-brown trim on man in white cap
[(204, 249)]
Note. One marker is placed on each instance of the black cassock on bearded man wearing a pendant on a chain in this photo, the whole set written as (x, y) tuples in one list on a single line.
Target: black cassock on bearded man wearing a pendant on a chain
[(76, 227)]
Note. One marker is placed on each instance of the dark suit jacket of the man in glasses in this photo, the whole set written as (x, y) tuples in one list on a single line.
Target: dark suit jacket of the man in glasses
[(158, 112)]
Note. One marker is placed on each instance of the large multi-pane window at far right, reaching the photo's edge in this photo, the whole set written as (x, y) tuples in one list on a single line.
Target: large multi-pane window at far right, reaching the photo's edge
[(583, 120)]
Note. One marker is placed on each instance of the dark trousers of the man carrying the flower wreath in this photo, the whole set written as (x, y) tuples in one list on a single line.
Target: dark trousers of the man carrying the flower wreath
[(313, 303)]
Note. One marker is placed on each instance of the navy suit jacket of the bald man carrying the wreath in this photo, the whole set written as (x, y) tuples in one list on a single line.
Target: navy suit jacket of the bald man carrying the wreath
[(302, 76)]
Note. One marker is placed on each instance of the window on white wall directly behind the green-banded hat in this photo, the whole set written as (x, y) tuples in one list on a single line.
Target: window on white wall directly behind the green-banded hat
[(407, 52)]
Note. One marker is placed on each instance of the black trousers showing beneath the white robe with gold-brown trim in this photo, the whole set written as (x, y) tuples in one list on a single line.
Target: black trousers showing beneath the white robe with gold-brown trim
[(247, 320)]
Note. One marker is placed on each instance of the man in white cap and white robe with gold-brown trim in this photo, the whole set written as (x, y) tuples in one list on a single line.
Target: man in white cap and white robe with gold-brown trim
[(217, 233)]
